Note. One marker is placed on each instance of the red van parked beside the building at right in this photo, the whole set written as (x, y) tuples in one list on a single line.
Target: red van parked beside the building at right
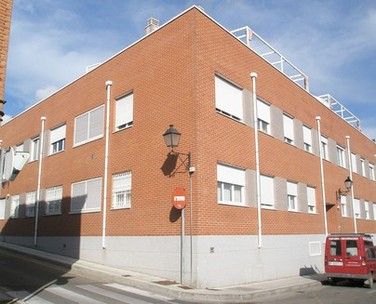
[(350, 256)]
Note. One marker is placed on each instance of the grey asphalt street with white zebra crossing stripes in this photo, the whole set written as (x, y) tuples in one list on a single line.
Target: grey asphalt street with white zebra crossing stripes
[(38, 282)]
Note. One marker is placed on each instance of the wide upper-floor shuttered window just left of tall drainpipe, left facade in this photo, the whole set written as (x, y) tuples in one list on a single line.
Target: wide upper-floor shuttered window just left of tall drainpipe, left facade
[(89, 126)]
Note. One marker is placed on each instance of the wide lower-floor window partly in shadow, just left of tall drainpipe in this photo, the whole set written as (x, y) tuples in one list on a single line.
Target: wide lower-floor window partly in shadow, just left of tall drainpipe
[(87, 196)]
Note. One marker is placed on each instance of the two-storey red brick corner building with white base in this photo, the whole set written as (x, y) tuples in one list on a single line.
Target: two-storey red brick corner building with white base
[(194, 74)]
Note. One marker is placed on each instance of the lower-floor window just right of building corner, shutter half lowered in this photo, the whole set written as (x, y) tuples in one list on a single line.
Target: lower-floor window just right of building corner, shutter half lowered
[(230, 185)]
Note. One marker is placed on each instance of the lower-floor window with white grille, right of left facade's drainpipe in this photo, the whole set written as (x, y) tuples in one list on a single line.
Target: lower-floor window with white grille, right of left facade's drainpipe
[(121, 190)]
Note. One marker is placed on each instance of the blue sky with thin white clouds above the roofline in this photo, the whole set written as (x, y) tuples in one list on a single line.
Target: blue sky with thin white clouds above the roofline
[(333, 42)]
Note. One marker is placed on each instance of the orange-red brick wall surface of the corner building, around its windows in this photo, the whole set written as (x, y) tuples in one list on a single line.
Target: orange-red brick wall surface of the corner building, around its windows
[(171, 74)]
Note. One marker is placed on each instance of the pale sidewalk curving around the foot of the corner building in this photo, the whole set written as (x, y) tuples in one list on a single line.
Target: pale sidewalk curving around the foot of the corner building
[(173, 290)]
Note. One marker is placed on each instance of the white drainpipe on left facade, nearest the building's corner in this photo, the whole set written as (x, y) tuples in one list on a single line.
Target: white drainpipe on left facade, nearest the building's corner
[(106, 149)]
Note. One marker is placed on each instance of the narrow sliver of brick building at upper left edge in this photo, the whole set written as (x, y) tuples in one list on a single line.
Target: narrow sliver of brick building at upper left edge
[(5, 15)]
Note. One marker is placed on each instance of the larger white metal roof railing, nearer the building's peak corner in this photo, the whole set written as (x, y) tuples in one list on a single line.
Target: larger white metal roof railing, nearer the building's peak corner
[(271, 55)]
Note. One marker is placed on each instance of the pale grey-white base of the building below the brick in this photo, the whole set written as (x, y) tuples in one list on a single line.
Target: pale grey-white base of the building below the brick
[(218, 261)]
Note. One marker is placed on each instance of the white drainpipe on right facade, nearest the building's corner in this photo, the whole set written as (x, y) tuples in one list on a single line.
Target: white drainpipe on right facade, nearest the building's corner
[(257, 156)]
